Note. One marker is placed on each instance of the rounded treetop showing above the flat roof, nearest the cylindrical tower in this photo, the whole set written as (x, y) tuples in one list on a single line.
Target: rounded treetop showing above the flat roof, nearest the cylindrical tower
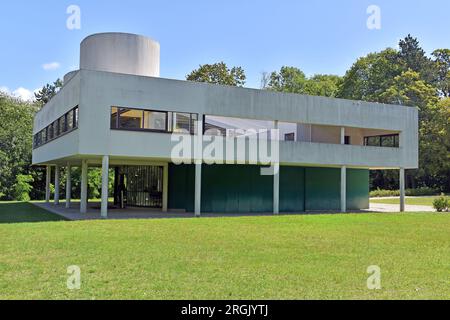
[(218, 73)]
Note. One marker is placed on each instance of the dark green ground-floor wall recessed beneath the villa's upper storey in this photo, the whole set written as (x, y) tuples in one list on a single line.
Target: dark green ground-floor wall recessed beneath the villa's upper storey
[(239, 188)]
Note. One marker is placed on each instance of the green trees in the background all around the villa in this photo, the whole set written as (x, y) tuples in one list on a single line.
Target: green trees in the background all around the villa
[(405, 76)]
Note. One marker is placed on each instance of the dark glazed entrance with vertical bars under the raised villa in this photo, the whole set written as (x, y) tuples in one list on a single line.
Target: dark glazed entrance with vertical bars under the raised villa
[(144, 186)]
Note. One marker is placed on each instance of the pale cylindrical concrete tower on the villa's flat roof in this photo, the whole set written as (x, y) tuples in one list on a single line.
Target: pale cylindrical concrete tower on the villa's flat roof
[(121, 53)]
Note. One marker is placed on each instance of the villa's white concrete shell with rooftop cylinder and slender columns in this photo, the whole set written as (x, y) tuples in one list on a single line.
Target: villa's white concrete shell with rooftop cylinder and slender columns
[(95, 91)]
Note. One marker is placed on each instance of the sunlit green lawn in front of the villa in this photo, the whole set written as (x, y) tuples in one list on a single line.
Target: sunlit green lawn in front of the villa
[(285, 257)]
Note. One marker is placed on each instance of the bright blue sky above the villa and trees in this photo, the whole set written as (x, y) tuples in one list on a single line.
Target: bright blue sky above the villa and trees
[(320, 36)]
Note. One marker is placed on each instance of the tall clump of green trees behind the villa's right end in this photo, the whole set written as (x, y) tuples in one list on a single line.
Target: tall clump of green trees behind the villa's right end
[(407, 77)]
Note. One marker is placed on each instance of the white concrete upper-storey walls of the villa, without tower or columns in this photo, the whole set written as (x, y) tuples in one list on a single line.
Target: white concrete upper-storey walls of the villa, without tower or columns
[(95, 92)]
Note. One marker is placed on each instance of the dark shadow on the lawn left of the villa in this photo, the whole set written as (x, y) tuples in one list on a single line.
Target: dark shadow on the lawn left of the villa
[(23, 212)]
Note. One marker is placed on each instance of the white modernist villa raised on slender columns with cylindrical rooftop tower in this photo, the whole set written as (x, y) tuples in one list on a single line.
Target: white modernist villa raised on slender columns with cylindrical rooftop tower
[(116, 113)]
